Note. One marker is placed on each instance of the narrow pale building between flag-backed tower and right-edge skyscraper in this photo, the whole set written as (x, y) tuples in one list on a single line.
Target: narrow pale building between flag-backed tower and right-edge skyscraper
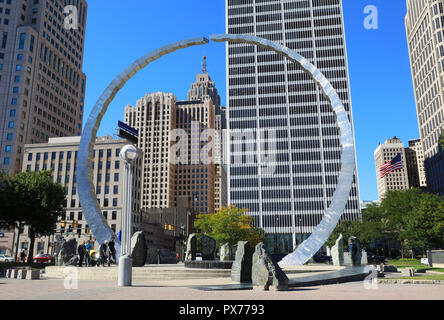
[(415, 164)]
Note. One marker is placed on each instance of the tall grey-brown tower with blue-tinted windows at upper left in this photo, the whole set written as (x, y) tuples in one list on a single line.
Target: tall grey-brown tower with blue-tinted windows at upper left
[(42, 86)]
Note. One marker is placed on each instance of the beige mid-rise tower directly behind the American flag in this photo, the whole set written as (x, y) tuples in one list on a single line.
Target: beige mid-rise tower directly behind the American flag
[(396, 180)]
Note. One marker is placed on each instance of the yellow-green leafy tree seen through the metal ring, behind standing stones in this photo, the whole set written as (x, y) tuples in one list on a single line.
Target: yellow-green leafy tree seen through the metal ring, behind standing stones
[(229, 225)]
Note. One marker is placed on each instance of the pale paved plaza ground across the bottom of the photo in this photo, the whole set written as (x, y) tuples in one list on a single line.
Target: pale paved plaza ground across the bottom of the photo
[(53, 289)]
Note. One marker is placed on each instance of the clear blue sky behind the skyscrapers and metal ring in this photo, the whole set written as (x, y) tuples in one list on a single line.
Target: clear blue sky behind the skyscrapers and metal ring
[(120, 32)]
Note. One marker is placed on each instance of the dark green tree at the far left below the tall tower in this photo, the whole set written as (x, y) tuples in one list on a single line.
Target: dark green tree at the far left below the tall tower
[(35, 201)]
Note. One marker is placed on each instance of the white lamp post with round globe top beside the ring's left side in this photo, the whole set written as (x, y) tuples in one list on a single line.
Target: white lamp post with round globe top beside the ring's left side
[(128, 155)]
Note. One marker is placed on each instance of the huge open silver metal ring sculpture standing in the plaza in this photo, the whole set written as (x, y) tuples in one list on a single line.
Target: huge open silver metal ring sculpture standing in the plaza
[(332, 214)]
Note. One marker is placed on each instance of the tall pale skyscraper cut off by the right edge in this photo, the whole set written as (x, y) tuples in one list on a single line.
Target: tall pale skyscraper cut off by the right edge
[(424, 22)]
